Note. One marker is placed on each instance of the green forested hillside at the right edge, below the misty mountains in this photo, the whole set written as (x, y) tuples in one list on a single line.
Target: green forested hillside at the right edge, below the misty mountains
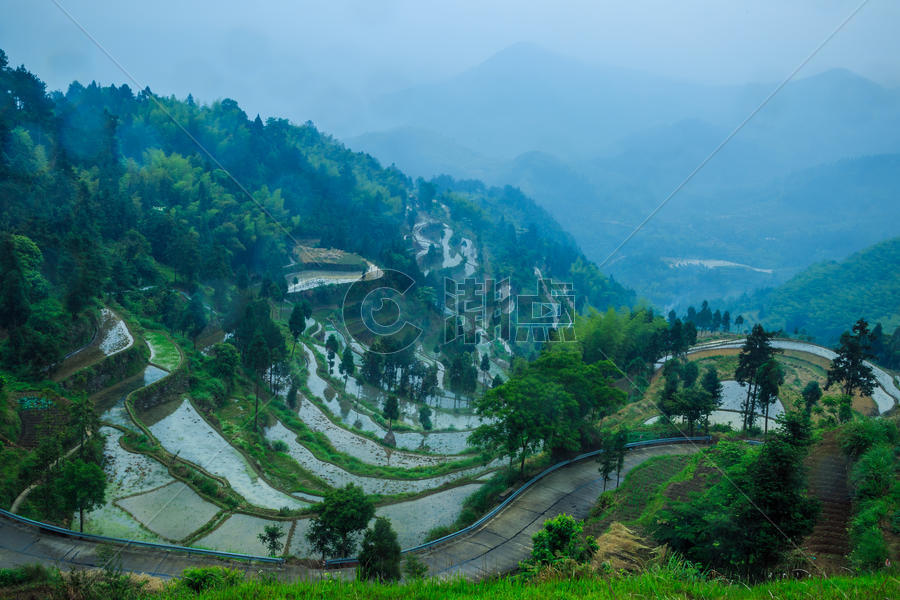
[(821, 300)]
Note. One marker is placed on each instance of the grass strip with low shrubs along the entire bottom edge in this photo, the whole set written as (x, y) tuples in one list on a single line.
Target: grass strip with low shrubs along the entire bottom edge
[(225, 584)]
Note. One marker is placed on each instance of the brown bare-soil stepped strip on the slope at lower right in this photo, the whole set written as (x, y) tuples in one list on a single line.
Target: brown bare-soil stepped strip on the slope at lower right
[(827, 476)]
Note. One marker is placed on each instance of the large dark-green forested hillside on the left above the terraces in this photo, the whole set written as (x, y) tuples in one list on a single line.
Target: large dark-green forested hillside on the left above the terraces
[(103, 190)]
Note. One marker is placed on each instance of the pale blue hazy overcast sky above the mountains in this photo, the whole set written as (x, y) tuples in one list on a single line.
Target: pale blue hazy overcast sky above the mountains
[(300, 59)]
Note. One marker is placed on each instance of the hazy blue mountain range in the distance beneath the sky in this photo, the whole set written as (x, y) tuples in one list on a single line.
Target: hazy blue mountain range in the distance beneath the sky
[(601, 147)]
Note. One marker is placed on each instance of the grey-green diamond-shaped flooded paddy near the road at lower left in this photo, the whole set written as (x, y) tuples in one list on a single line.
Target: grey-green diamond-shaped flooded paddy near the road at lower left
[(173, 511)]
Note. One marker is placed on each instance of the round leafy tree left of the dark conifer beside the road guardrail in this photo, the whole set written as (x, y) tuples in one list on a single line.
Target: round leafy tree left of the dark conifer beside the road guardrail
[(342, 514)]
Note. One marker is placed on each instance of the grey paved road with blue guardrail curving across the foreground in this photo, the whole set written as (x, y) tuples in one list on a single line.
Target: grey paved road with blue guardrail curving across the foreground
[(496, 547)]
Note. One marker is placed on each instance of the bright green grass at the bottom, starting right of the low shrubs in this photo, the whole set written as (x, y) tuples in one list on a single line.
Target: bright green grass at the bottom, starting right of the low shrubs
[(646, 585)]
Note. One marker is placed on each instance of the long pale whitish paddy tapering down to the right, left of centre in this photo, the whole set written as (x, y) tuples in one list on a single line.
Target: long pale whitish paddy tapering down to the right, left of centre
[(185, 433)]
